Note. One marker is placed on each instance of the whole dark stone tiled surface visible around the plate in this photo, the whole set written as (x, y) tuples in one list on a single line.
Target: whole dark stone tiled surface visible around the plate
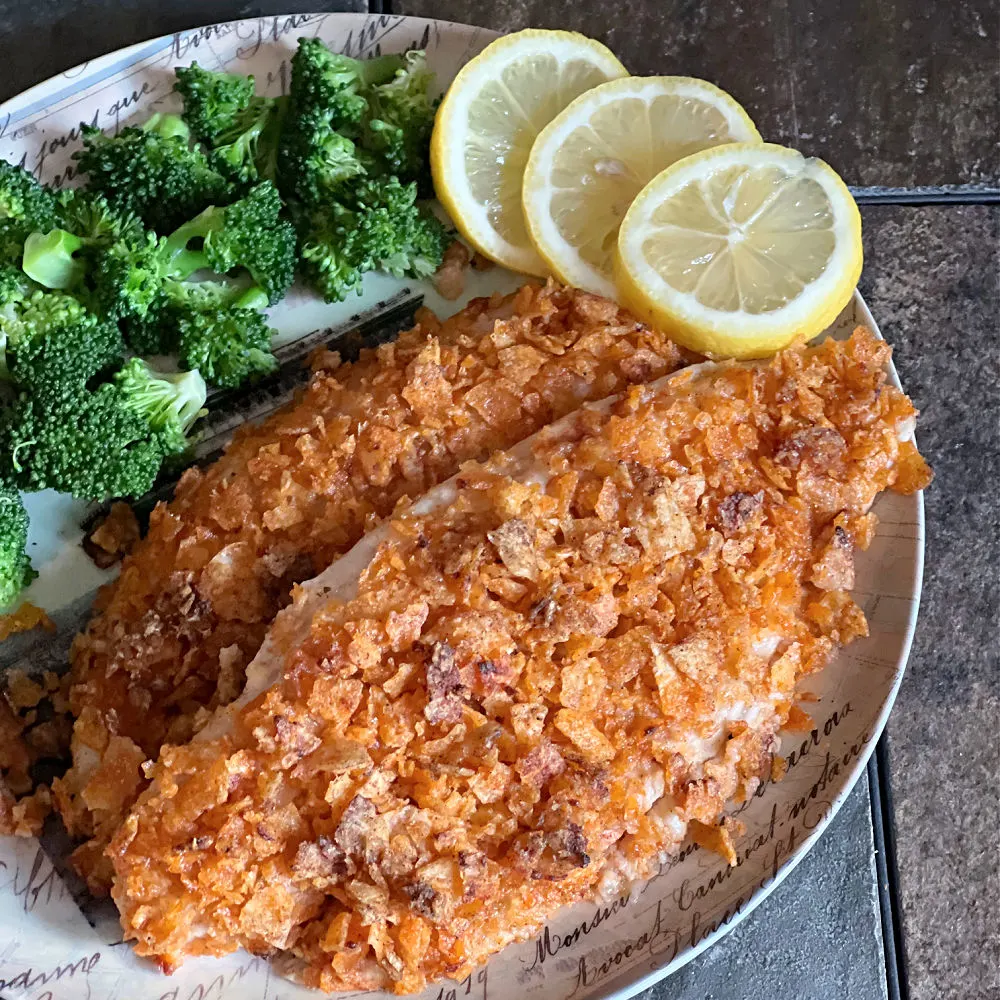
[(902, 97)]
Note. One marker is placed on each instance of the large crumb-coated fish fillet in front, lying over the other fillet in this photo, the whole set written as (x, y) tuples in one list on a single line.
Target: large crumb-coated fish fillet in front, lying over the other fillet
[(529, 687)]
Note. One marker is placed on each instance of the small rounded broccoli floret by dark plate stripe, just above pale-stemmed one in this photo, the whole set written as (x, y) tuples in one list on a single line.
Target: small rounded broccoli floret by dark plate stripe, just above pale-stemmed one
[(229, 346)]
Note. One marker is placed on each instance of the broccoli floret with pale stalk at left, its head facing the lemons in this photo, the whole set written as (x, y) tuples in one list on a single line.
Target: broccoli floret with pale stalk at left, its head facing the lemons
[(246, 234)]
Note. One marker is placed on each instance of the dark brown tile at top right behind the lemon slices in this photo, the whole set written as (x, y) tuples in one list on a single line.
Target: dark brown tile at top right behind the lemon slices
[(893, 93)]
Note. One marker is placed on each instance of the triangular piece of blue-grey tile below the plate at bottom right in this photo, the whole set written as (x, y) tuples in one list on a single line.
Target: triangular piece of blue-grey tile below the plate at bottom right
[(816, 937)]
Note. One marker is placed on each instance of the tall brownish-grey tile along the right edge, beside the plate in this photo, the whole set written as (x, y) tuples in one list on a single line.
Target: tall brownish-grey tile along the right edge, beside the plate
[(931, 281)]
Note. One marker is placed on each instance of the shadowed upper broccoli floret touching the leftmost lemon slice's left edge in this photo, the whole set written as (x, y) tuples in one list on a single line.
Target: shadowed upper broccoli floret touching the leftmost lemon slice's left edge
[(401, 120)]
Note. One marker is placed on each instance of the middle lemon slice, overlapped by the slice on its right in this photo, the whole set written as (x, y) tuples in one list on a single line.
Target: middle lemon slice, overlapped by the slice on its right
[(591, 161)]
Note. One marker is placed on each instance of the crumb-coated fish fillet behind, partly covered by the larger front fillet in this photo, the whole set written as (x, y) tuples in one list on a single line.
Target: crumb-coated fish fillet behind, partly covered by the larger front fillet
[(173, 635)]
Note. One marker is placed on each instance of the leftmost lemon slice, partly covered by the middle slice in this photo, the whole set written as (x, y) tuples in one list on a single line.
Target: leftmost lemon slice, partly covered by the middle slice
[(487, 122)]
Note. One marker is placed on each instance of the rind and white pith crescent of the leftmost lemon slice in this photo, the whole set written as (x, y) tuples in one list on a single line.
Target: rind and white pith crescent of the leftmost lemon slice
[(448, 142)]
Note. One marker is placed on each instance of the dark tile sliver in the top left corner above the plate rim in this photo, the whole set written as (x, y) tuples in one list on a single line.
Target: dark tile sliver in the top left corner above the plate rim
[(39, 38)]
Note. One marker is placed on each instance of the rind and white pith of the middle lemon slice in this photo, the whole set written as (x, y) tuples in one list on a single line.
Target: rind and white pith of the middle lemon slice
[(561, 257)]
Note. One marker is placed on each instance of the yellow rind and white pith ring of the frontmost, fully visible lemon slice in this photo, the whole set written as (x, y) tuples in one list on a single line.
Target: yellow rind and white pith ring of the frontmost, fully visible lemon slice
[(727, 333)]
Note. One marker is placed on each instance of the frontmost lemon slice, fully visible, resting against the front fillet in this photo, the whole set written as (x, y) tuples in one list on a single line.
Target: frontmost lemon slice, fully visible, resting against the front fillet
[(741, 250)]
